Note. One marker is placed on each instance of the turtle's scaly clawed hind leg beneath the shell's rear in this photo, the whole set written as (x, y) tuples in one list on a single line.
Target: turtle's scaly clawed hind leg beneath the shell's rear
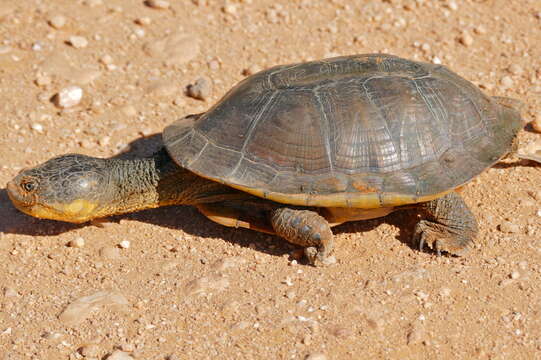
[(449, 225)]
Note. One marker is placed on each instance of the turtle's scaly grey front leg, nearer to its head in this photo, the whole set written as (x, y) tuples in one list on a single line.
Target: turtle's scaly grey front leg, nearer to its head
[(305, 228)]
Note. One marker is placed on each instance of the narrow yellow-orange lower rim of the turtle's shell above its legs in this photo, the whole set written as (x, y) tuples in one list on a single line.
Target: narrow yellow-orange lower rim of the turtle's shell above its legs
[(354, 200)]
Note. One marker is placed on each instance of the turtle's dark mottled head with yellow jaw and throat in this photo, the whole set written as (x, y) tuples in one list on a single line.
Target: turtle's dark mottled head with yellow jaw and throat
[(67, 188)]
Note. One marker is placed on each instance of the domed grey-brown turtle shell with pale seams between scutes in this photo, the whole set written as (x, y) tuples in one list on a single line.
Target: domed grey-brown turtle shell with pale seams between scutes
[(361, 131)]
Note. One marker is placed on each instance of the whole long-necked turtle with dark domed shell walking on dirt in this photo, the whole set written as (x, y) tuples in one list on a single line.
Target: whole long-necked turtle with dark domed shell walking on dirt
[(297, 149)]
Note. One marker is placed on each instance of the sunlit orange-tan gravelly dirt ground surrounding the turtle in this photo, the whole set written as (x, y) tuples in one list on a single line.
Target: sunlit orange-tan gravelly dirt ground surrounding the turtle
[(168, 283)]
